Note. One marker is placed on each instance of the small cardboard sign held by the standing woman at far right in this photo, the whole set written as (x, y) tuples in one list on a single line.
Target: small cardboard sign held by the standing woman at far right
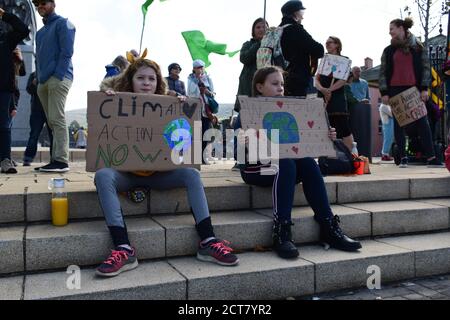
[(408, 107)]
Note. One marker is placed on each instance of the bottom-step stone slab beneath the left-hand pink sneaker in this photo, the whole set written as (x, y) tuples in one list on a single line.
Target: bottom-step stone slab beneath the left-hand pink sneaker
[(155, 280)]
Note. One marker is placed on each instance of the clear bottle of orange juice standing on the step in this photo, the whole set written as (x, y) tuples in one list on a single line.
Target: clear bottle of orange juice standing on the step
[(60, 205)]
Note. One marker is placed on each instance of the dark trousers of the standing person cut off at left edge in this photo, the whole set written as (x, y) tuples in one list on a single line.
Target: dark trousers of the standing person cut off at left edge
[(5, 125)]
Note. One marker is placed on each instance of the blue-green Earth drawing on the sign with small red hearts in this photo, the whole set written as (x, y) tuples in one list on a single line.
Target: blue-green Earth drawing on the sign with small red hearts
[(285, 123)]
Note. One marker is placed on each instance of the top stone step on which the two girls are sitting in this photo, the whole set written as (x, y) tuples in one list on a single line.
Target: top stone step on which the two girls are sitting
[(30, 201)]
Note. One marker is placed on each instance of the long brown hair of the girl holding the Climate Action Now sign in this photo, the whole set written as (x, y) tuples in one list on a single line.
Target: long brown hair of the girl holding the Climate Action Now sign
[(125, 81)]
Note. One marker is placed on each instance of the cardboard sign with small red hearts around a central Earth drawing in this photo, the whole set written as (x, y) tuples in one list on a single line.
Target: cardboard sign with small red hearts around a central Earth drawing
[(302, 124)]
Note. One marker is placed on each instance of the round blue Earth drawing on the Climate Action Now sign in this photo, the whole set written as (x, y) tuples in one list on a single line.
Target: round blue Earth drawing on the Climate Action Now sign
[(181, 138)]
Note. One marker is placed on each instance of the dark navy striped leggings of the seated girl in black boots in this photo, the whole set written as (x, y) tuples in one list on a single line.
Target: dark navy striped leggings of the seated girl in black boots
[(290, 173)]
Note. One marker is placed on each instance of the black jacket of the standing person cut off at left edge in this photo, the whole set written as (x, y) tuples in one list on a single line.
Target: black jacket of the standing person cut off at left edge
[(8, 42)]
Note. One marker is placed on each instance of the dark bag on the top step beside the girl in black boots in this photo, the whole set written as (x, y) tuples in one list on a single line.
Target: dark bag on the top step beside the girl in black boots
[(342, 164)]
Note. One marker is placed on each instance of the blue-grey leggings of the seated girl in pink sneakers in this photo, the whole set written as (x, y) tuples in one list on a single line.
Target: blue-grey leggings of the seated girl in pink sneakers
[(110, 181)]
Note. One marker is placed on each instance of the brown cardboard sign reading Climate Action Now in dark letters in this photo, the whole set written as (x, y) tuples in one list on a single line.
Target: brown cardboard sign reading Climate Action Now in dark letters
[(134, 132)]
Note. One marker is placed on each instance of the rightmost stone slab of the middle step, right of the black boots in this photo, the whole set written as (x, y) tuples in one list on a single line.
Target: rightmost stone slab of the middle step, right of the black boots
[(395, 217)]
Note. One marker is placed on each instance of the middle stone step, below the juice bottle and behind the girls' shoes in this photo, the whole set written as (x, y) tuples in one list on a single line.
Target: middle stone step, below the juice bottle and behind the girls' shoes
[(87, 243)]
